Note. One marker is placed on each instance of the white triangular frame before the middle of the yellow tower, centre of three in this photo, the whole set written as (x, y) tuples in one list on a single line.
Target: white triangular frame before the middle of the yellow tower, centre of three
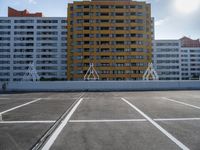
[(91, 73)]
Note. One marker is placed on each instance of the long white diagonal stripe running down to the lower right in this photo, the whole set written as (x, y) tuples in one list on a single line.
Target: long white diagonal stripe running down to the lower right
[(171, 137)]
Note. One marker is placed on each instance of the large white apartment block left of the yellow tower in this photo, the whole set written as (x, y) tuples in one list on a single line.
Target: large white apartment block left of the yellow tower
[(38, 40)]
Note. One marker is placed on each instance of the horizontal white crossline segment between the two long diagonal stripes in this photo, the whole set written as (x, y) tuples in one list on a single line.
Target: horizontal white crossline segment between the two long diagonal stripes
[(96, 121)]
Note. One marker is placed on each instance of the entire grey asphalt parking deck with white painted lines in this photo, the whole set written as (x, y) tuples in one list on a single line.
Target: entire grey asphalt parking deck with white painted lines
[(102, 120)]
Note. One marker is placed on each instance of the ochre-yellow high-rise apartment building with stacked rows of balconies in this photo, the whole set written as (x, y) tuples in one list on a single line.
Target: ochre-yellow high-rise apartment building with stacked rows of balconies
[(115, 36)]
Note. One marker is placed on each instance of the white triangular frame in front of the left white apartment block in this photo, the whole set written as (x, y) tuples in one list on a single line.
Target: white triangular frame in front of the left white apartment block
[(31, 74)]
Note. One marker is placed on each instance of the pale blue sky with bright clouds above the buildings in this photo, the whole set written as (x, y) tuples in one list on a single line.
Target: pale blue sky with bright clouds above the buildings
[(173, 18)]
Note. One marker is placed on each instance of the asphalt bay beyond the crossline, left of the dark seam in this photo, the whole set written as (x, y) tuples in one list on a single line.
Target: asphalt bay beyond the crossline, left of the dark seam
[(41, 110)]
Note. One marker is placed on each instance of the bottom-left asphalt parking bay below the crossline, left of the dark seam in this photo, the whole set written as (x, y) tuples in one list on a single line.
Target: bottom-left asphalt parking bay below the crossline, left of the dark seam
[(21, 136)]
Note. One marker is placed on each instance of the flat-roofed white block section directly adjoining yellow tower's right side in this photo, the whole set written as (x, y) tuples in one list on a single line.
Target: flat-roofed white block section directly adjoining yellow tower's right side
[(166, 58)]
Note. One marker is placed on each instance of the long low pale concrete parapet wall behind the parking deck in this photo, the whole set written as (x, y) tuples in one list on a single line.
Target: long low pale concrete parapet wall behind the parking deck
[(103, 85)]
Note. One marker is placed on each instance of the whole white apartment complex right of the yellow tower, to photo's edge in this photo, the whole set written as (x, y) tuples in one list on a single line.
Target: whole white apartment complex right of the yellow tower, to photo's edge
[(174, 60)]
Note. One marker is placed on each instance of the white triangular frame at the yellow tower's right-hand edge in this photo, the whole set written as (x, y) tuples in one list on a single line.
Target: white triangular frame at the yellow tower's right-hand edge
[(150, 73)]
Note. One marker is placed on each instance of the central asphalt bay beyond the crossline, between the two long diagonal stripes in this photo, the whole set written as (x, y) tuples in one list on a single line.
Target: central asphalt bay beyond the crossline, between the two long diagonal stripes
[(104, 107)]
